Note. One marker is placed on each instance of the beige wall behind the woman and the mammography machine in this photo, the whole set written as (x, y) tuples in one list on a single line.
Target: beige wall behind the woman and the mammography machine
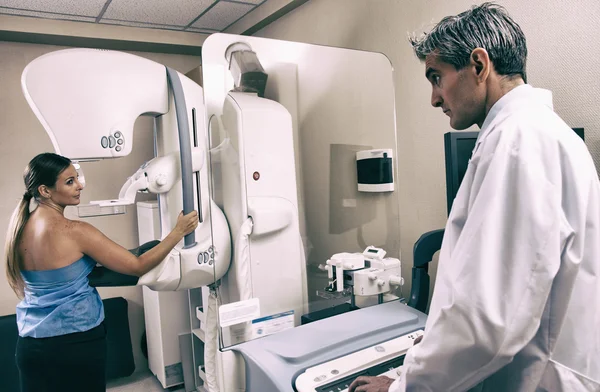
[(23, 137)]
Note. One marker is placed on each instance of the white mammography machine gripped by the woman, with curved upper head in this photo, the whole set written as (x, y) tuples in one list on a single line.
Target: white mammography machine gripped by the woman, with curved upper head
[(88, 101)]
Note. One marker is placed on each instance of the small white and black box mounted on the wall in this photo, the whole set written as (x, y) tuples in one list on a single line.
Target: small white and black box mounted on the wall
[(375, 170)]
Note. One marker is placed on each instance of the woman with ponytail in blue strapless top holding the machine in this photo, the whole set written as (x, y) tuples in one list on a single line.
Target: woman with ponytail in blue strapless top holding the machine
[(61, 344)]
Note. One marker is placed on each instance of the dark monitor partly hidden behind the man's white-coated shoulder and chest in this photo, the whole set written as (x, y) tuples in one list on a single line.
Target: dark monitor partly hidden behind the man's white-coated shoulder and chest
[(458, 147)]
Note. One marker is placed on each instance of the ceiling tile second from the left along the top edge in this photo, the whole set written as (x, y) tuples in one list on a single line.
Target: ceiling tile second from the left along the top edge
[(168, 12)]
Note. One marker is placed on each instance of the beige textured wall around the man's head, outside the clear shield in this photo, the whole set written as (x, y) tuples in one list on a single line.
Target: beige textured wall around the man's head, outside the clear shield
[(562, 40)]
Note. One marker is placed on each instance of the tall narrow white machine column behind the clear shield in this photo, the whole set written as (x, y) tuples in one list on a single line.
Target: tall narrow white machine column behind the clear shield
[(260, 130)]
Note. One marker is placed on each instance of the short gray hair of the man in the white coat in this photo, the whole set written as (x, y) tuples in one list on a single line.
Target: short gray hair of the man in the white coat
[(487, 26)]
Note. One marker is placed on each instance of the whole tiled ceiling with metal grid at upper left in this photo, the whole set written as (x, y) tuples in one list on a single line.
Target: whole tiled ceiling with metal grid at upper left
[(200, 16)]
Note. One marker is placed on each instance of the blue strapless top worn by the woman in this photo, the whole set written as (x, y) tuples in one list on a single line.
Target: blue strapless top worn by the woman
[(59, 301)]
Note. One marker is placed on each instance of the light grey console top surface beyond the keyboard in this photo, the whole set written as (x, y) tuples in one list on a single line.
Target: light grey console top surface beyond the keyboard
[(273, 362)]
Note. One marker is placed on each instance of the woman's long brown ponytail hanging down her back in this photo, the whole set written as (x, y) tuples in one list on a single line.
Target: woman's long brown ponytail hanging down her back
[(13, 237)]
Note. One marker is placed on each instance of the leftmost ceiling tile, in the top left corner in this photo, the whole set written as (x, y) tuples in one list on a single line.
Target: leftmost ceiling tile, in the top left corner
[(74, 7)]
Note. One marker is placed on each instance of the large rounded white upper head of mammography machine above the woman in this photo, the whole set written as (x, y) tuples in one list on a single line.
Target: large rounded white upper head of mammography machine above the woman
[(72, 91)]
